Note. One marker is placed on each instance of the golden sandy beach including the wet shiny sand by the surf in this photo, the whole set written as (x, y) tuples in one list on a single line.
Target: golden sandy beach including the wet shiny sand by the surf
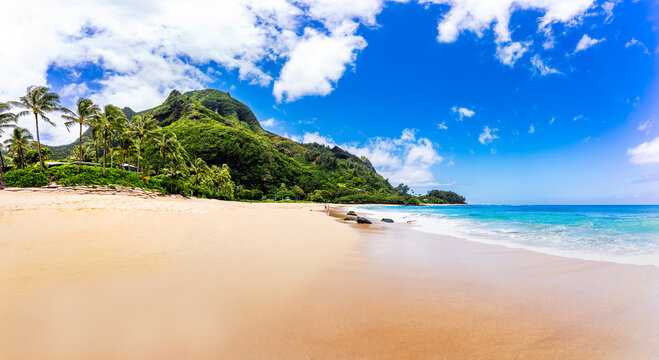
[(116, 277)]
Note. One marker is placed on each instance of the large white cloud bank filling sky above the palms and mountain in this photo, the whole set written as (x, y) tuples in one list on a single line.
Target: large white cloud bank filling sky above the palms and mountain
[(142, 50)]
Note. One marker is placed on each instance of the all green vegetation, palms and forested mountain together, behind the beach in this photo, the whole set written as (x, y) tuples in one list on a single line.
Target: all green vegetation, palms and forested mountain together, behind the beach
[(203, 143)]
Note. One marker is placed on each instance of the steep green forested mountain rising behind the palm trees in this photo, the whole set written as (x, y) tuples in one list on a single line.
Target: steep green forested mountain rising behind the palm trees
[(212, 125)]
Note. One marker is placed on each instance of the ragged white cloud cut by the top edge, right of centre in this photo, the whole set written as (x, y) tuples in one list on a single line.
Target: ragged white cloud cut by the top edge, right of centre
[(478, 16)]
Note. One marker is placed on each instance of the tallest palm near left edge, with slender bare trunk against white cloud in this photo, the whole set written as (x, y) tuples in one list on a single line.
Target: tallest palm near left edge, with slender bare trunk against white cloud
[(39, 101)]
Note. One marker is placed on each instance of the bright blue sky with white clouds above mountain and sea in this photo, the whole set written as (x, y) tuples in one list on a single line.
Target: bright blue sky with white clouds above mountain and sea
[(502, 101)]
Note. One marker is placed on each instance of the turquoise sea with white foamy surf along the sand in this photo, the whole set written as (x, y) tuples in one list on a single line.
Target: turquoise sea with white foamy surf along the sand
[(622, 234)]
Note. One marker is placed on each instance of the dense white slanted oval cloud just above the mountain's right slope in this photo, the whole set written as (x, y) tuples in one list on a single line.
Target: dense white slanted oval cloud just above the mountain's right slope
[(317, 62)]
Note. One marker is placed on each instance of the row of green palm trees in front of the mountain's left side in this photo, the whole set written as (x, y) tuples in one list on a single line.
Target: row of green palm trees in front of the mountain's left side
[(117, 137)]
